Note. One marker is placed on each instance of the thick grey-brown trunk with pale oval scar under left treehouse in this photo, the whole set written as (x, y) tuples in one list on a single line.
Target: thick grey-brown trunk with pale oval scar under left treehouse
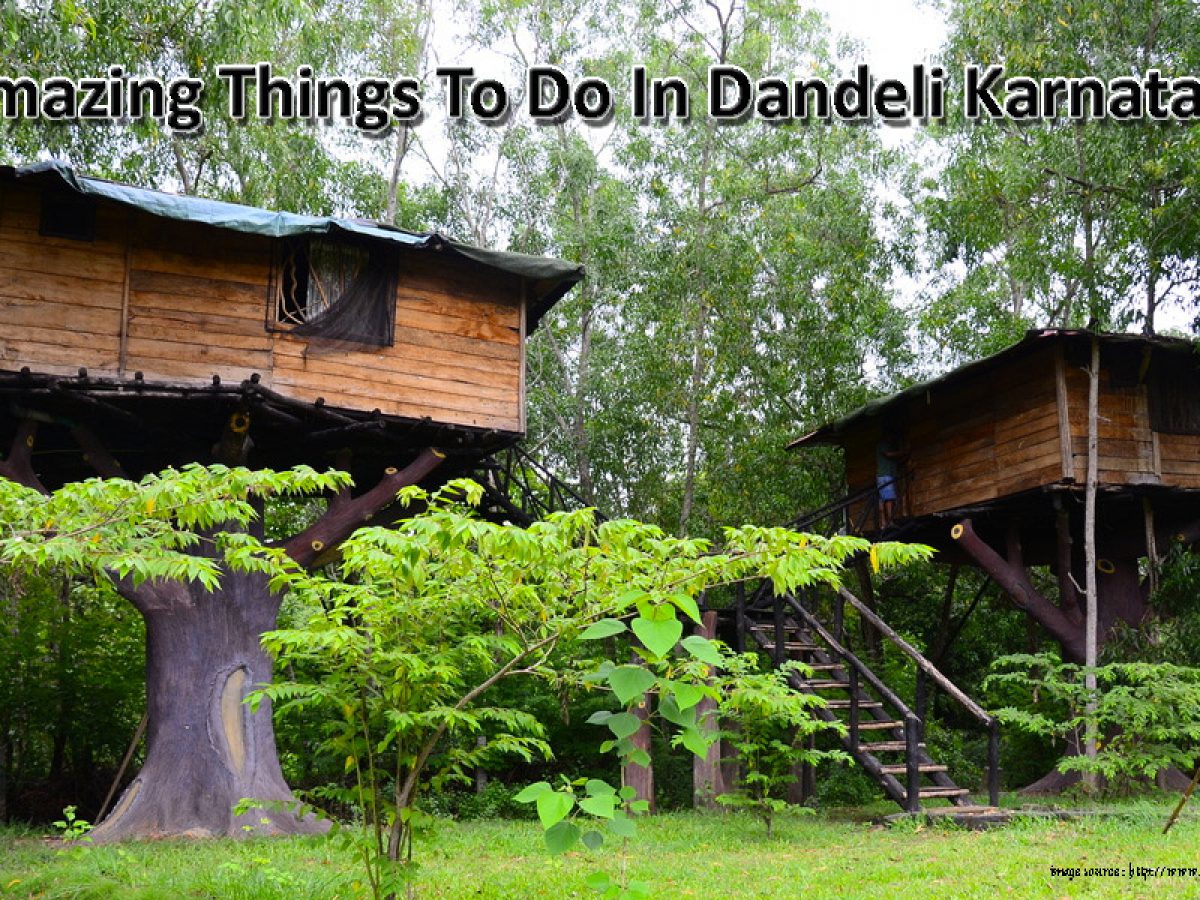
[(206, 749)]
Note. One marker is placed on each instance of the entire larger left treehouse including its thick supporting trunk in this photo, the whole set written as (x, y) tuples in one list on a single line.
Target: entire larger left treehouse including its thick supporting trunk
[(145, 331)]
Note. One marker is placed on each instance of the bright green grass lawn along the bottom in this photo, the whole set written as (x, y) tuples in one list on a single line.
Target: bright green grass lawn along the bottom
[(830, 855)]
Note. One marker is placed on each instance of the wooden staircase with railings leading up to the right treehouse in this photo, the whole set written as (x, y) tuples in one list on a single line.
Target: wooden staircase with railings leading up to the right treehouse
[(883, 734)]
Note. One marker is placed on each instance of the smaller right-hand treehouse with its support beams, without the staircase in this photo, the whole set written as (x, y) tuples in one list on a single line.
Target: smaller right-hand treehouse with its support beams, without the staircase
[(995, 461)]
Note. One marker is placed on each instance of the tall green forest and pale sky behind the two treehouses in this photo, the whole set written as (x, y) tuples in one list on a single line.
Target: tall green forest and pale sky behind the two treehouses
[(745, 284)]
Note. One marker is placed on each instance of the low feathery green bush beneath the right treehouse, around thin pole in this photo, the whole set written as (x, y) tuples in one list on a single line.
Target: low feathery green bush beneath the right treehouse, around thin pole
[(1149, 715)]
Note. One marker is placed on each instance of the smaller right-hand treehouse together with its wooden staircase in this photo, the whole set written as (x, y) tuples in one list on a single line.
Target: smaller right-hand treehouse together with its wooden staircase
[(991, 464)]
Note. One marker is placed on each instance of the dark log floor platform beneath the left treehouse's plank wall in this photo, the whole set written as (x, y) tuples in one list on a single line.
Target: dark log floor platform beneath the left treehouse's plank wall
[(148, 427)]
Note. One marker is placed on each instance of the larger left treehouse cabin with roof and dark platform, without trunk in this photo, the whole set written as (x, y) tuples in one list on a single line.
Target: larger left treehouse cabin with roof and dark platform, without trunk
[(140, 322)]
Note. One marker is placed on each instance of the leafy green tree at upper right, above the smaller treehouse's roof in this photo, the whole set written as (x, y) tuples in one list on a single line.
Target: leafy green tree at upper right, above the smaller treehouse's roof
[(1064, 224)]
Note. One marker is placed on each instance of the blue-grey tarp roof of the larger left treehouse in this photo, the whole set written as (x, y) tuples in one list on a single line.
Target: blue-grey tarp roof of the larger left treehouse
[(550, 279)]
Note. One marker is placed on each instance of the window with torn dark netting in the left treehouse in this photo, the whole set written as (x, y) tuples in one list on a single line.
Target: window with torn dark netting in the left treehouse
[(337, 293)]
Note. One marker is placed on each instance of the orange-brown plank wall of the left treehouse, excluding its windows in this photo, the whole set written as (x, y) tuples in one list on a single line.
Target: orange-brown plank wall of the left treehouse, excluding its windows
[(197, 307)]
